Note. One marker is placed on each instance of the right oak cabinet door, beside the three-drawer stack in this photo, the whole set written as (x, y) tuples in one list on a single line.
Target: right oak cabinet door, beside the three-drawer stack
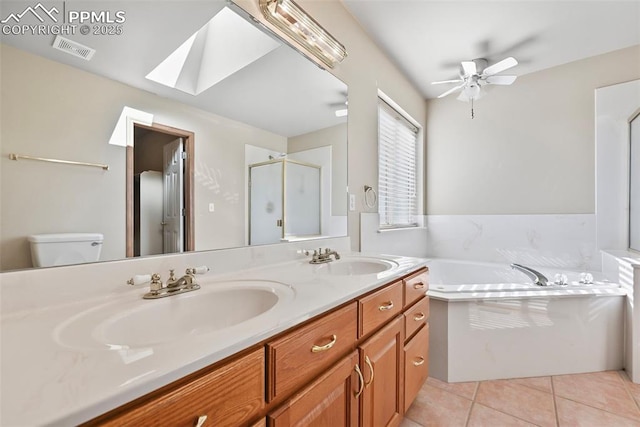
[(382, 362)]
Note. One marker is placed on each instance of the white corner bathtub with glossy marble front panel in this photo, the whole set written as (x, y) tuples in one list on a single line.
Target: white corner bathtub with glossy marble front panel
[(488, 321)]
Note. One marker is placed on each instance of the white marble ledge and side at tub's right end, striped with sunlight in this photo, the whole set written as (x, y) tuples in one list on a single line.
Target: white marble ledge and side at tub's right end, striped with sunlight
[(624, 267)]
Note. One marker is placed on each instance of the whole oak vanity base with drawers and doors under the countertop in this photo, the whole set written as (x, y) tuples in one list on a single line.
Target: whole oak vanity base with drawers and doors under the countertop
[(360, 364)]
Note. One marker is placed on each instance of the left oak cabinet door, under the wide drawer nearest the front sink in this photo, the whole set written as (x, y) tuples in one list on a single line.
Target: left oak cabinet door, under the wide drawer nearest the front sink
[(331, 400)]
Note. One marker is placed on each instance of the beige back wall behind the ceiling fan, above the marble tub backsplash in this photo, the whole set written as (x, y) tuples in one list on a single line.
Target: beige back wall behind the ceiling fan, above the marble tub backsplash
[(530, 149)]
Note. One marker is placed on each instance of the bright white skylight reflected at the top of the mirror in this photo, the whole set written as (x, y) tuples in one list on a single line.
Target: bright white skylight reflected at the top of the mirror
[(224, 45)]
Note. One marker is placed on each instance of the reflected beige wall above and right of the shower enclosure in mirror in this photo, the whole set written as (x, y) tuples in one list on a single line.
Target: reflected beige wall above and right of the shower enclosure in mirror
[(336, 137)]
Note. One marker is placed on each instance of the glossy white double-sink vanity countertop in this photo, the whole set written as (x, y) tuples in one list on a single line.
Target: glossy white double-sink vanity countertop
[(48, 381)]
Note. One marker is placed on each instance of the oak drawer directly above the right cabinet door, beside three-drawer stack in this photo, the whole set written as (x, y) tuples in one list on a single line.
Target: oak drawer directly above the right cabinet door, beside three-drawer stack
[(379, 307)]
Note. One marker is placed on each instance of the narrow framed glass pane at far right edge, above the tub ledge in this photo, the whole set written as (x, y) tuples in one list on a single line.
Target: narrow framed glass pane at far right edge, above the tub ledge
[(634, 183)]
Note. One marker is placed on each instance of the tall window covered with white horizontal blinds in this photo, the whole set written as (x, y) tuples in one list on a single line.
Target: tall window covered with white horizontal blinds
[(397, 168)]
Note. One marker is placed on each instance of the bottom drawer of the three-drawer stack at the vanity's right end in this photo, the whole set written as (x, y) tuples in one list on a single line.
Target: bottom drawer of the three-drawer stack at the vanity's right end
[(416, 365)]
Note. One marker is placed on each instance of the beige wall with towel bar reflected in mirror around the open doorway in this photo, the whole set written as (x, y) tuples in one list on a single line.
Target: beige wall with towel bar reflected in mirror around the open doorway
[(56, 111)]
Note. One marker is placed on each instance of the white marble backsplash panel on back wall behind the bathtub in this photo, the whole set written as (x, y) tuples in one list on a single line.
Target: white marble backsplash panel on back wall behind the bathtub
[(563, 241)]
